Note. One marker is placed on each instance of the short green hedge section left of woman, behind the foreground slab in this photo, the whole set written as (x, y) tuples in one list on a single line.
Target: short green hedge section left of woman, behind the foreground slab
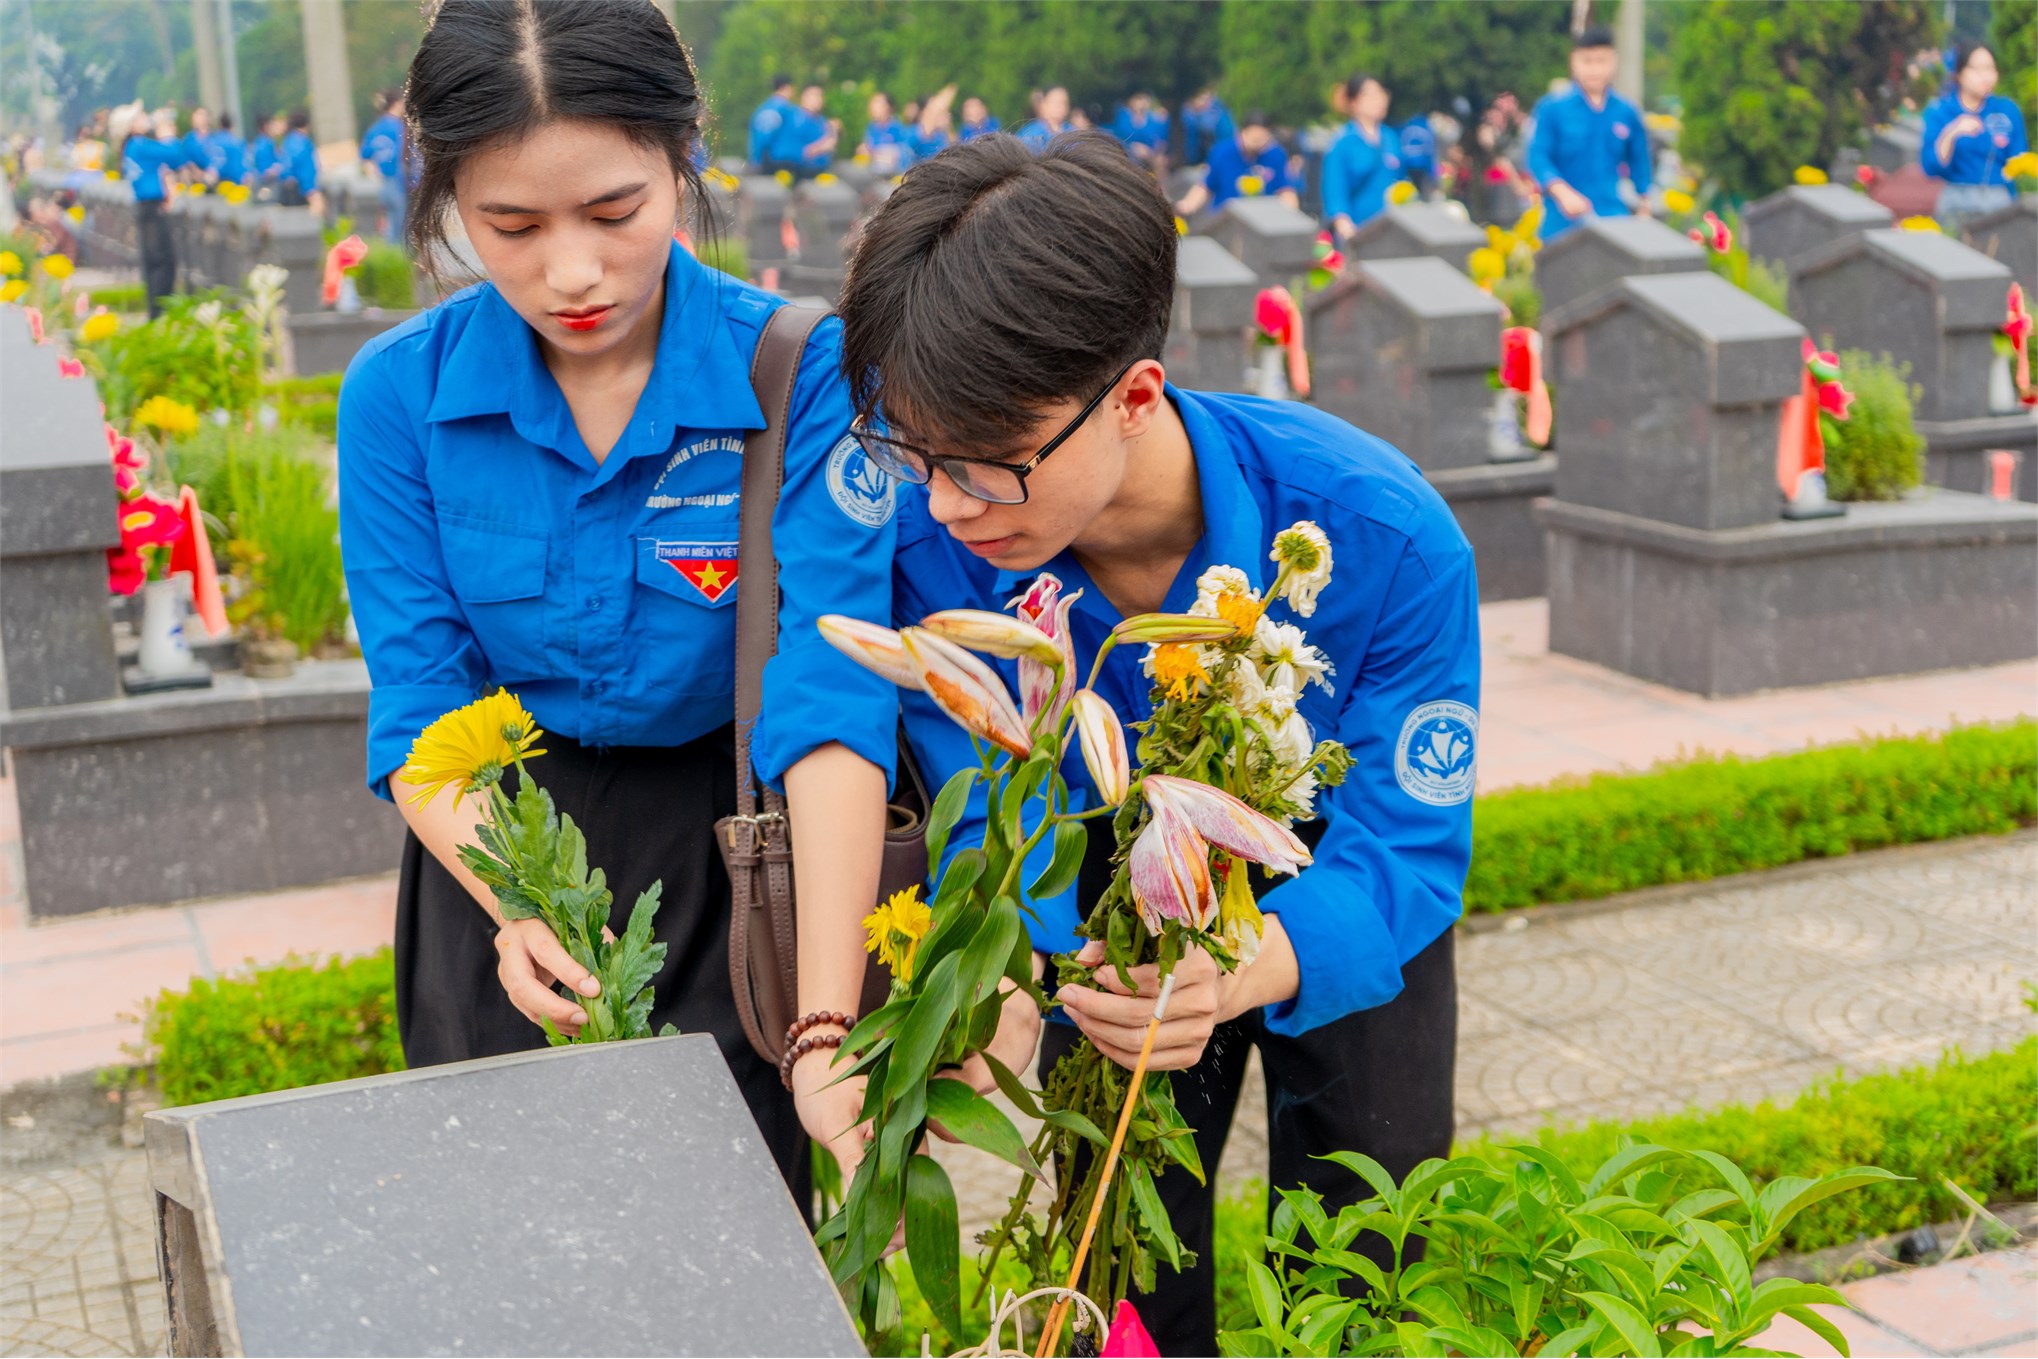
[(276, 1028)]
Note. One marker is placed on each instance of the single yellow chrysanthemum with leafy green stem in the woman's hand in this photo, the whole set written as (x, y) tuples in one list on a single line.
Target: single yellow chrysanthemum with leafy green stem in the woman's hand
[(535, 861)]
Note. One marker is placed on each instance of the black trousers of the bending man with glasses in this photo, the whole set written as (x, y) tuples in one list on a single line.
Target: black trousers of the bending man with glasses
[(1377, 1083)]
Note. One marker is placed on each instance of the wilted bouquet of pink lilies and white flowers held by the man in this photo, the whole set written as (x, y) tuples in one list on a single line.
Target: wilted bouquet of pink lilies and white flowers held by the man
[(1226, 767)]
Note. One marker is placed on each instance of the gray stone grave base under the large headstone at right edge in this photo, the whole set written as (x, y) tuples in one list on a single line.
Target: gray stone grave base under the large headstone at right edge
[(1929, 584)]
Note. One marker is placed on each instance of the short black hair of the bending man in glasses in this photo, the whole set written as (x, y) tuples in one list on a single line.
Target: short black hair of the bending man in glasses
[(998, 284)]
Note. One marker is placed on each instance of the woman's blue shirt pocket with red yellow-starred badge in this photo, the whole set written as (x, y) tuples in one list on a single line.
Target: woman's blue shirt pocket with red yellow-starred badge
[(686, 614)]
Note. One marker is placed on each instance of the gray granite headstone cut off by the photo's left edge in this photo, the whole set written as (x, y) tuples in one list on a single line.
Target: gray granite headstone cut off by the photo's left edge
[(58, 517)]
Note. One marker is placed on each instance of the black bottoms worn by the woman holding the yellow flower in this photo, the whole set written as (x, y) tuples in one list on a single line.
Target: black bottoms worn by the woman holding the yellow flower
[(649, 816)]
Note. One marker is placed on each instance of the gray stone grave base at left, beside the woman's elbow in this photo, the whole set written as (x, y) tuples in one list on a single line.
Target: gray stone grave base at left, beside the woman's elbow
[(244, 787)]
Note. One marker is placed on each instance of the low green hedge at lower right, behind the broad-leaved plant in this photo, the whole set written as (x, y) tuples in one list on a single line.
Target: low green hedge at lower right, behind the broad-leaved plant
[(1968, 1120)]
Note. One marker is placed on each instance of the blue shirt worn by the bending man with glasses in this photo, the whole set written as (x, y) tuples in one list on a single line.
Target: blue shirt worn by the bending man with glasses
[(1401, 627)]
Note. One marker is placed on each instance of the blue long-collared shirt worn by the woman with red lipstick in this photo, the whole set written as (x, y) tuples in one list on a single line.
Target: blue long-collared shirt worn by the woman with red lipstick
[(488, 547)]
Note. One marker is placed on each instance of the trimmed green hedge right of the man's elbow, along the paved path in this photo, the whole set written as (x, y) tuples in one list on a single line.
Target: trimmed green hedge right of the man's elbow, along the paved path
[(1721, 814)]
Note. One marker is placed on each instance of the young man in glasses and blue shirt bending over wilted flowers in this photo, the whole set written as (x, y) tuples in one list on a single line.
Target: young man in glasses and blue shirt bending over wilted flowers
[(1016, 378)]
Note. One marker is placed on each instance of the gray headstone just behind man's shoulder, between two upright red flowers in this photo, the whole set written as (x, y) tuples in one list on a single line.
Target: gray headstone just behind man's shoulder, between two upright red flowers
[(1403, 349)]
